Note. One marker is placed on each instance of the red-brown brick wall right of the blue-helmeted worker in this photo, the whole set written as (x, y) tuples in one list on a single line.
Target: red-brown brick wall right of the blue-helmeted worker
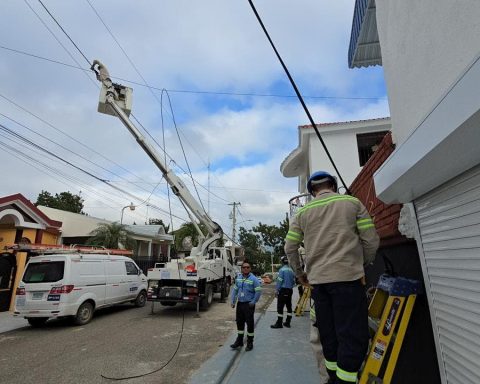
[(385, 215)]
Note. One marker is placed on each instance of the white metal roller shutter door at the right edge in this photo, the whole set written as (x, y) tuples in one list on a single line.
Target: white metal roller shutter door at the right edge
[(449, 226)]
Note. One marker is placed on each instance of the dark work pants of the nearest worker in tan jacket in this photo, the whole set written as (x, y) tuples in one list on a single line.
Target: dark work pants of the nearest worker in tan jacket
[(342, 320)]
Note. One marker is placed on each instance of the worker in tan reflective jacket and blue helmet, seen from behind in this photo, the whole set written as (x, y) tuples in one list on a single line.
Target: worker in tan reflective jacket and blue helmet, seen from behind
[(340, 239)]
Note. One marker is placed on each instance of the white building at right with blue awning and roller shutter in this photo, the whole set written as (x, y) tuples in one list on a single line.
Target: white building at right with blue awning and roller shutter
[(430, 52)]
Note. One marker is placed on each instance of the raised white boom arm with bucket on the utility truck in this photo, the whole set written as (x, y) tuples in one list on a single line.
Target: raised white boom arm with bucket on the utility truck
[(113, 95)]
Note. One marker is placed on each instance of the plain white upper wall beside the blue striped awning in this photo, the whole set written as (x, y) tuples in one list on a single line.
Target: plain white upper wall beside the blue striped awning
[(422, 62)]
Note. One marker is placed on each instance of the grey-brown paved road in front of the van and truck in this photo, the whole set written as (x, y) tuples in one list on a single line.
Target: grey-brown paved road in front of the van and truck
[(119, 342)]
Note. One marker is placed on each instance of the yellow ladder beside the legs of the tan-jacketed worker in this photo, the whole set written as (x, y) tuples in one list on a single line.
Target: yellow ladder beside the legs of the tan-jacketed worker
[(390, 309)]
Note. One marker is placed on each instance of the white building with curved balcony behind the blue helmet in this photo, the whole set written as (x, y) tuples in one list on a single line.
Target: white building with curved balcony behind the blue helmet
[(350, 144)]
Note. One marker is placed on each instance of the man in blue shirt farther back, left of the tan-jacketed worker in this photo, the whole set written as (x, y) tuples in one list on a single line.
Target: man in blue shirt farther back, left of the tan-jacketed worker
[(284, 291)]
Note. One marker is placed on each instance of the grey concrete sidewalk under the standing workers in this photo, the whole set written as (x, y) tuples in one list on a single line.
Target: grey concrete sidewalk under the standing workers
[(281, 356)]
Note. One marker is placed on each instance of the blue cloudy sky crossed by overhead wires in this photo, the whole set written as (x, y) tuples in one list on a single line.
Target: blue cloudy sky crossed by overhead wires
[(208, 46)]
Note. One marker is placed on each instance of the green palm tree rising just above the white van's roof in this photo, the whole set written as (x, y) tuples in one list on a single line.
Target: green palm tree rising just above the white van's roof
[(112, 235)]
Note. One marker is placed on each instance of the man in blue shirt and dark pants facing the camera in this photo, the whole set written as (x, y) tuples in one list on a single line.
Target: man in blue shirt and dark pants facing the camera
[(246, 292)]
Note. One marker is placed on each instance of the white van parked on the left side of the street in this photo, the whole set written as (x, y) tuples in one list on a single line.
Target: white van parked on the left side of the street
[(59, 285)]
